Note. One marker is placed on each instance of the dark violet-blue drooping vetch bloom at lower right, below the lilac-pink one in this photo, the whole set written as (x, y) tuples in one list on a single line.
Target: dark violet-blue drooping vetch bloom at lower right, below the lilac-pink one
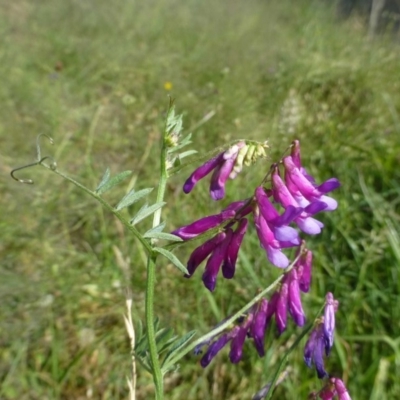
[(314, 349)]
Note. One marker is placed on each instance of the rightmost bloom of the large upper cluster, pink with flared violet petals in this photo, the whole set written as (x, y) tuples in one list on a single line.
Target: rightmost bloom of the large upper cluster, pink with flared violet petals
[(300, 185)]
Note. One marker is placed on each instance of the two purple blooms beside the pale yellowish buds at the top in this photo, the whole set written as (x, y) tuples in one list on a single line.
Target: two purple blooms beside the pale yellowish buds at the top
[(222, 165)]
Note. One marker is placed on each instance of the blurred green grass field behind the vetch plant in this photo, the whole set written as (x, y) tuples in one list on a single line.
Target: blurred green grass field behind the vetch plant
[(96, 76)]
